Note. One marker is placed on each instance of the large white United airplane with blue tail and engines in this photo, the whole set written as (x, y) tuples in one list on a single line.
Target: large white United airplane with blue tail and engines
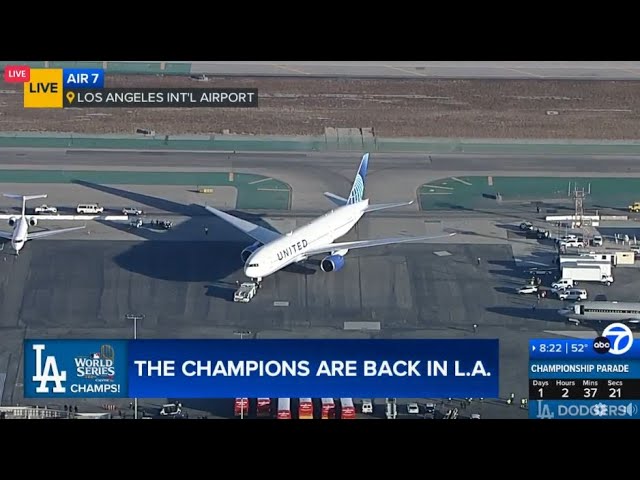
[(273, 251)]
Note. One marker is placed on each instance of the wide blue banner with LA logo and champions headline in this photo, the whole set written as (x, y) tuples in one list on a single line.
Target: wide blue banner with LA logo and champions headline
[(262, 368)]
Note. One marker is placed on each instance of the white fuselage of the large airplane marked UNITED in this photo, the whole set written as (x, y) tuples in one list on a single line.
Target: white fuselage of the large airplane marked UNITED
[(291, 248)]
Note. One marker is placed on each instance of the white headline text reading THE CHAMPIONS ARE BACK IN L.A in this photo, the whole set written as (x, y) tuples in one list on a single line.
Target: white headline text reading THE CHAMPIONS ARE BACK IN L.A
[(306, 368)]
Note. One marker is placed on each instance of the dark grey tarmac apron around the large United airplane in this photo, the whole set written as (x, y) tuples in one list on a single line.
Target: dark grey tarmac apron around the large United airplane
[(182, 280)]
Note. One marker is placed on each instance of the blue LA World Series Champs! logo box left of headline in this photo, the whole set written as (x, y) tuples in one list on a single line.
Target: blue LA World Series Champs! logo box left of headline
[(56, 369)]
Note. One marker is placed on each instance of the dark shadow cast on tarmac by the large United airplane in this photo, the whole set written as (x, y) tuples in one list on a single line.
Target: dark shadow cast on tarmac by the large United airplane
[(213, 262)]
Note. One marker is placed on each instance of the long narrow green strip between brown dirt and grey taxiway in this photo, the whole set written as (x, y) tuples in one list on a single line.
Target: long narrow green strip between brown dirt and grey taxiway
[(320, 143)]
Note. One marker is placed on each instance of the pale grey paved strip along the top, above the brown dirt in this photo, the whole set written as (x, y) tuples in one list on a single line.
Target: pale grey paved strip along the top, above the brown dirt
[(428, 69)]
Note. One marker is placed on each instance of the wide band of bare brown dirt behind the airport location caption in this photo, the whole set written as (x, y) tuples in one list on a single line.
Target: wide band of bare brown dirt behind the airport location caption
[(393, 107)]
